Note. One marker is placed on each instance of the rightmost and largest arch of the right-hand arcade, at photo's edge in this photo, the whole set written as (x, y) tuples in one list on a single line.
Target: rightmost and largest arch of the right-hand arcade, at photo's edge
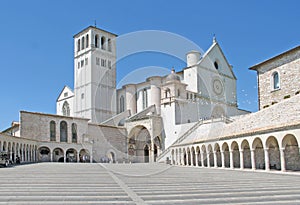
[(291, 152)]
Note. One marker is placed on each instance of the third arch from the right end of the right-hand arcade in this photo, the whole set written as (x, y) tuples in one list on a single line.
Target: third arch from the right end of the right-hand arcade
[(259, 156)]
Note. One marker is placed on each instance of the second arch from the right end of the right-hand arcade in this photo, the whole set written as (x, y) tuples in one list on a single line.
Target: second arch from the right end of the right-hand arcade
[(273, 152)]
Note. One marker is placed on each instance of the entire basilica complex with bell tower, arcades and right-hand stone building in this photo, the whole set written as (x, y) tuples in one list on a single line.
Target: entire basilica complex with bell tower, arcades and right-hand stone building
[(189, 117)]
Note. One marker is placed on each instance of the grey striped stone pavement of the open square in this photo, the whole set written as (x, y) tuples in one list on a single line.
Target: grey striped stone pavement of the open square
[(58, 183)]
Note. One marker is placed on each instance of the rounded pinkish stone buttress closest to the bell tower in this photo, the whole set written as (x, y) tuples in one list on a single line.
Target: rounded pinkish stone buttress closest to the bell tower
[(130, 98)]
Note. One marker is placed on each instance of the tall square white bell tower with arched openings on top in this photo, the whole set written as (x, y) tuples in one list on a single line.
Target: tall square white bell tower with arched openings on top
[(95, 74)]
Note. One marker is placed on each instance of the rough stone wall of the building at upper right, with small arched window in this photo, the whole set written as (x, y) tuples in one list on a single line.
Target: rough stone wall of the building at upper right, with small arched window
[(287, 66)]
